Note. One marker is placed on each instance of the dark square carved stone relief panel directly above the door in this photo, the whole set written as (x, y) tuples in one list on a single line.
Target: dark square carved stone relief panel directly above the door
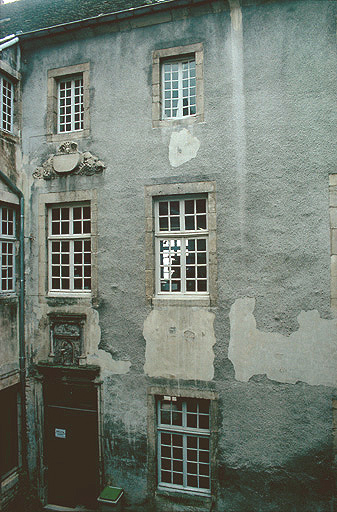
[(66, 339)]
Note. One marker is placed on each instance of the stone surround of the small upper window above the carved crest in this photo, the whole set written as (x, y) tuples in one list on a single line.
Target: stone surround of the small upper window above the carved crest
[(54, 75)]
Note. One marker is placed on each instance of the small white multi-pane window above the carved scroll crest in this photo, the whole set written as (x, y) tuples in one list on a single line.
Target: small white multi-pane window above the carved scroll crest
[(70, 104)]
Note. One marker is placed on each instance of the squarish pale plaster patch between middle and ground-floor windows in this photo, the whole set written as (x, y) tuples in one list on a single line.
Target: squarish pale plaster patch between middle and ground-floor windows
[(179, 343)]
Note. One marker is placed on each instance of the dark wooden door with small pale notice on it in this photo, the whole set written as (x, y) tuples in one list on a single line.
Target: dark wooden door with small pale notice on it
[(71, 441)]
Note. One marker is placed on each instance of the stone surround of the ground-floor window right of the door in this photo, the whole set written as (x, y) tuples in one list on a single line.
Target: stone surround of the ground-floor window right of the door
[(184, 498)]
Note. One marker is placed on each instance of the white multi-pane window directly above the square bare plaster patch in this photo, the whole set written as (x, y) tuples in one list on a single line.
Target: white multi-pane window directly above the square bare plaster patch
[(181, 245)]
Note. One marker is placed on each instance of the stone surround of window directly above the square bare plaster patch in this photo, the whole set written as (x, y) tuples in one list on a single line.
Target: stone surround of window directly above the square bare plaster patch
[(155, 191)]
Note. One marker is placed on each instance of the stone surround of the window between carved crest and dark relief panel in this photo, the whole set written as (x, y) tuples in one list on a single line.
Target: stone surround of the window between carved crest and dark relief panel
[(45, 200)]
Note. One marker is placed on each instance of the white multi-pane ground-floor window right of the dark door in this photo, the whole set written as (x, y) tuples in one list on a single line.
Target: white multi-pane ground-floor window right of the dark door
[(184, 444)]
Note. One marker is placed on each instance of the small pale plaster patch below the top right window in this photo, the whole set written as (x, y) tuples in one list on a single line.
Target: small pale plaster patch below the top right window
[(183, 147)]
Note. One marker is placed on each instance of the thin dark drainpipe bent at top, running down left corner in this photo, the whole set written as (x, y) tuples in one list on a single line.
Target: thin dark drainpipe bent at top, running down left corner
[(22, 357)]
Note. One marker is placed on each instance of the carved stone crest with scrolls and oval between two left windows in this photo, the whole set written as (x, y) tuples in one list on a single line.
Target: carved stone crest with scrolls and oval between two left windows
[(68, 160)]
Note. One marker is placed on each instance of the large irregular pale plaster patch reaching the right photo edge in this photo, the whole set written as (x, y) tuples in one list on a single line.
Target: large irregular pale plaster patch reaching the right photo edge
[(308, 355)]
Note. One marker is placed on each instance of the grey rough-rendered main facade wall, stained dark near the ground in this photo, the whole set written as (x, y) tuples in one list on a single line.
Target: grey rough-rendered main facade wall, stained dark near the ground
[(267, 143)]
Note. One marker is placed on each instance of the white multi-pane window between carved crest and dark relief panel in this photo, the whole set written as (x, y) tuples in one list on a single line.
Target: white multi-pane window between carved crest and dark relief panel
[(69, 239)]
